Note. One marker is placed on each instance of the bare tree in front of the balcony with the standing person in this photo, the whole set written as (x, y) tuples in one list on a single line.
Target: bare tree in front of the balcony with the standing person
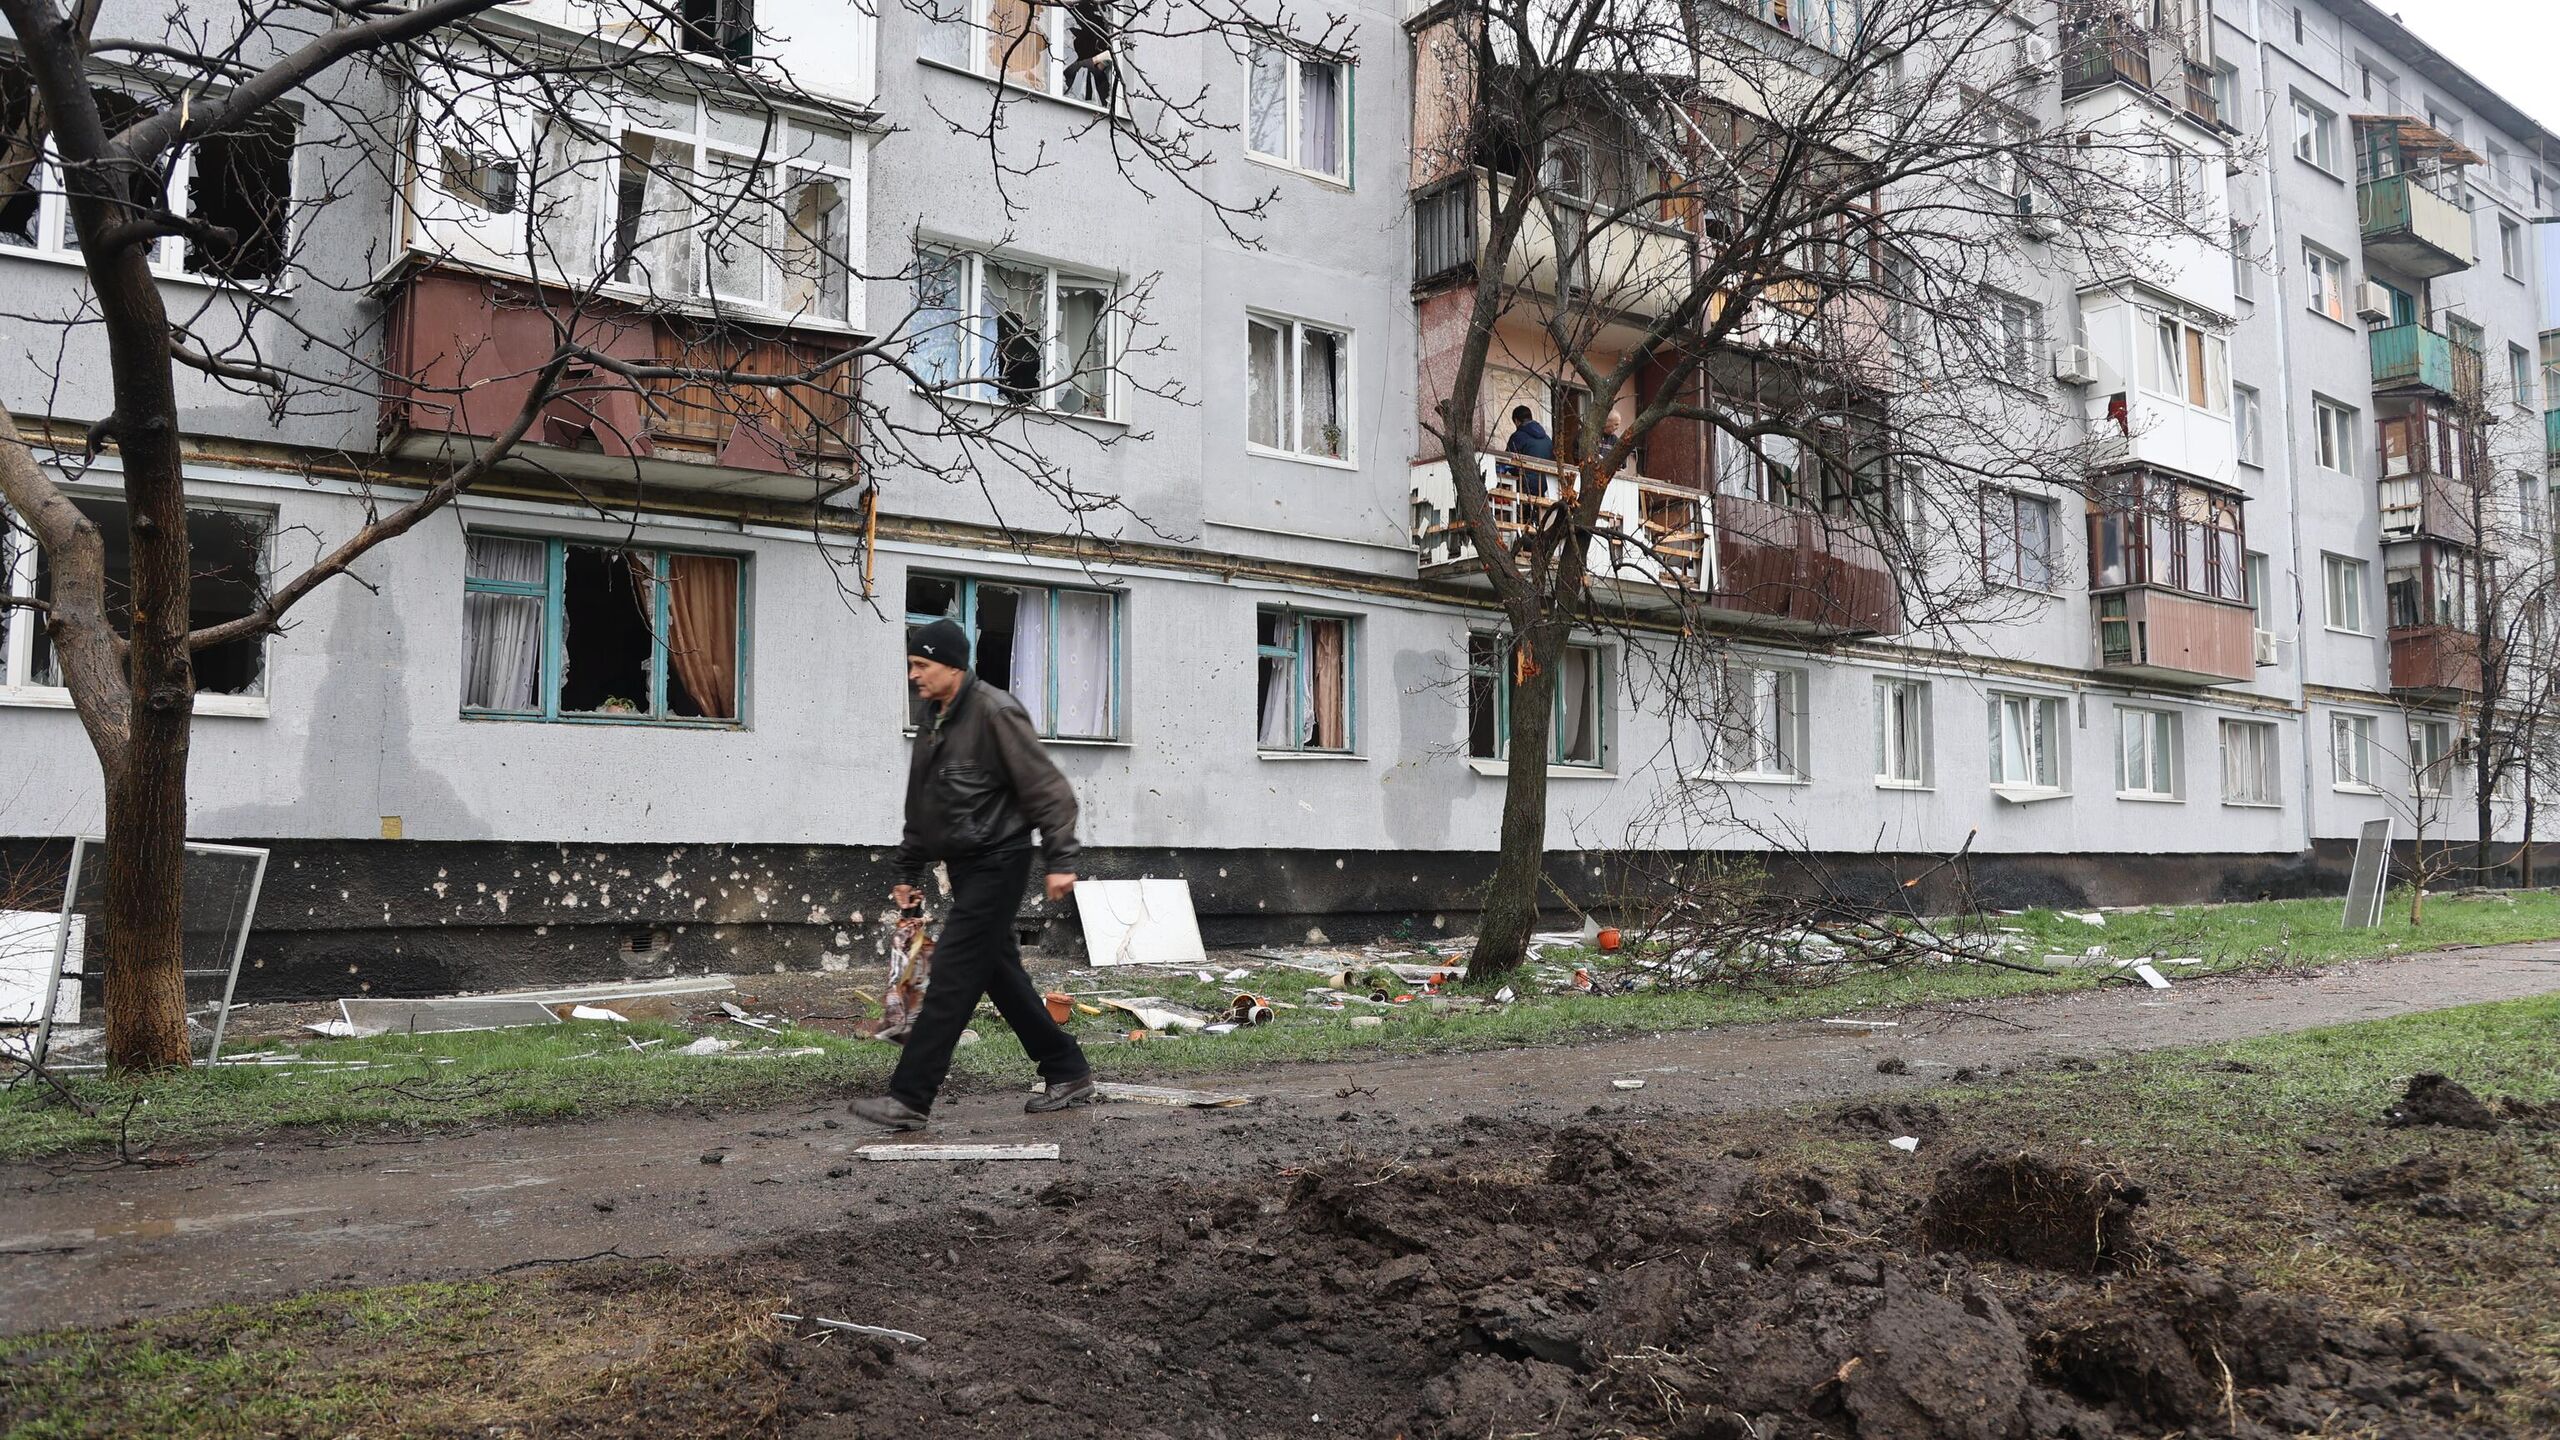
[(1775, 296)]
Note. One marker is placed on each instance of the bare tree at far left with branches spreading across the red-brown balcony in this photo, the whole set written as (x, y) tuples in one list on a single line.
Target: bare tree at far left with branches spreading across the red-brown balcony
[(628, 240)]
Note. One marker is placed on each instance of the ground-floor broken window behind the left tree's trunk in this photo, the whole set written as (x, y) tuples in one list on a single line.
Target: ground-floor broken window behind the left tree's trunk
[(229, 562)]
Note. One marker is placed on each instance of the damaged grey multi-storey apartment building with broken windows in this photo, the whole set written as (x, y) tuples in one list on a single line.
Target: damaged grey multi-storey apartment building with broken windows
[(636, 706)]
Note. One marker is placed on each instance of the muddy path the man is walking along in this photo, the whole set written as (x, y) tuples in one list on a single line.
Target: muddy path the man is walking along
[(285, 1218)]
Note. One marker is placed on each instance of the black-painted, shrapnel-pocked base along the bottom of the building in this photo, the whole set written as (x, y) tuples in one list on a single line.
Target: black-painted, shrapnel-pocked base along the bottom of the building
[(457, 916)]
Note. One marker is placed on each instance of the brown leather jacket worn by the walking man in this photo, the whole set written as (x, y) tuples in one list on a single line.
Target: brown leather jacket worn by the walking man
[(979, 783)]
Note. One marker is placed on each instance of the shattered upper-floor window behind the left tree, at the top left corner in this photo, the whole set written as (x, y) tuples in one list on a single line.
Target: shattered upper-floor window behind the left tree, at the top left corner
[(239, 183)]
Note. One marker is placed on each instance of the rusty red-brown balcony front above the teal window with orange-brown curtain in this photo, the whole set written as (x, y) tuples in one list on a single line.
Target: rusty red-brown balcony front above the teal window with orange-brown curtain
[(465, 350)]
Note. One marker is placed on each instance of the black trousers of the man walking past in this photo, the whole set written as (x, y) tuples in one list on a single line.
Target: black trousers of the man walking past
[(974, 957)]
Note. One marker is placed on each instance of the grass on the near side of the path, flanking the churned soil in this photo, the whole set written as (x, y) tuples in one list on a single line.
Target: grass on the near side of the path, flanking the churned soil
[(2239, 1165)]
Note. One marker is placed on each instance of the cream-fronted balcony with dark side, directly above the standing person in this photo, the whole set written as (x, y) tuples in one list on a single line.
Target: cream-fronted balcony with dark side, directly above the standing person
[(1627, 265)]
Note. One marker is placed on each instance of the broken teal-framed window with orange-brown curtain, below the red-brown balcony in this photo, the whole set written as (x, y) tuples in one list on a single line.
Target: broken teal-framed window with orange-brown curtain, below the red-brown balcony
[(567, 632)]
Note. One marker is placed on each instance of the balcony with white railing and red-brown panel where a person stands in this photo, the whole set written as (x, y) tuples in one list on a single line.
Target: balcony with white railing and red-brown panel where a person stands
[(1747, 562)]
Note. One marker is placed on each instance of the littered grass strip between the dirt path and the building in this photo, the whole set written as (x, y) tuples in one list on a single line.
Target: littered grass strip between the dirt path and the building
[(588, 1070)]
